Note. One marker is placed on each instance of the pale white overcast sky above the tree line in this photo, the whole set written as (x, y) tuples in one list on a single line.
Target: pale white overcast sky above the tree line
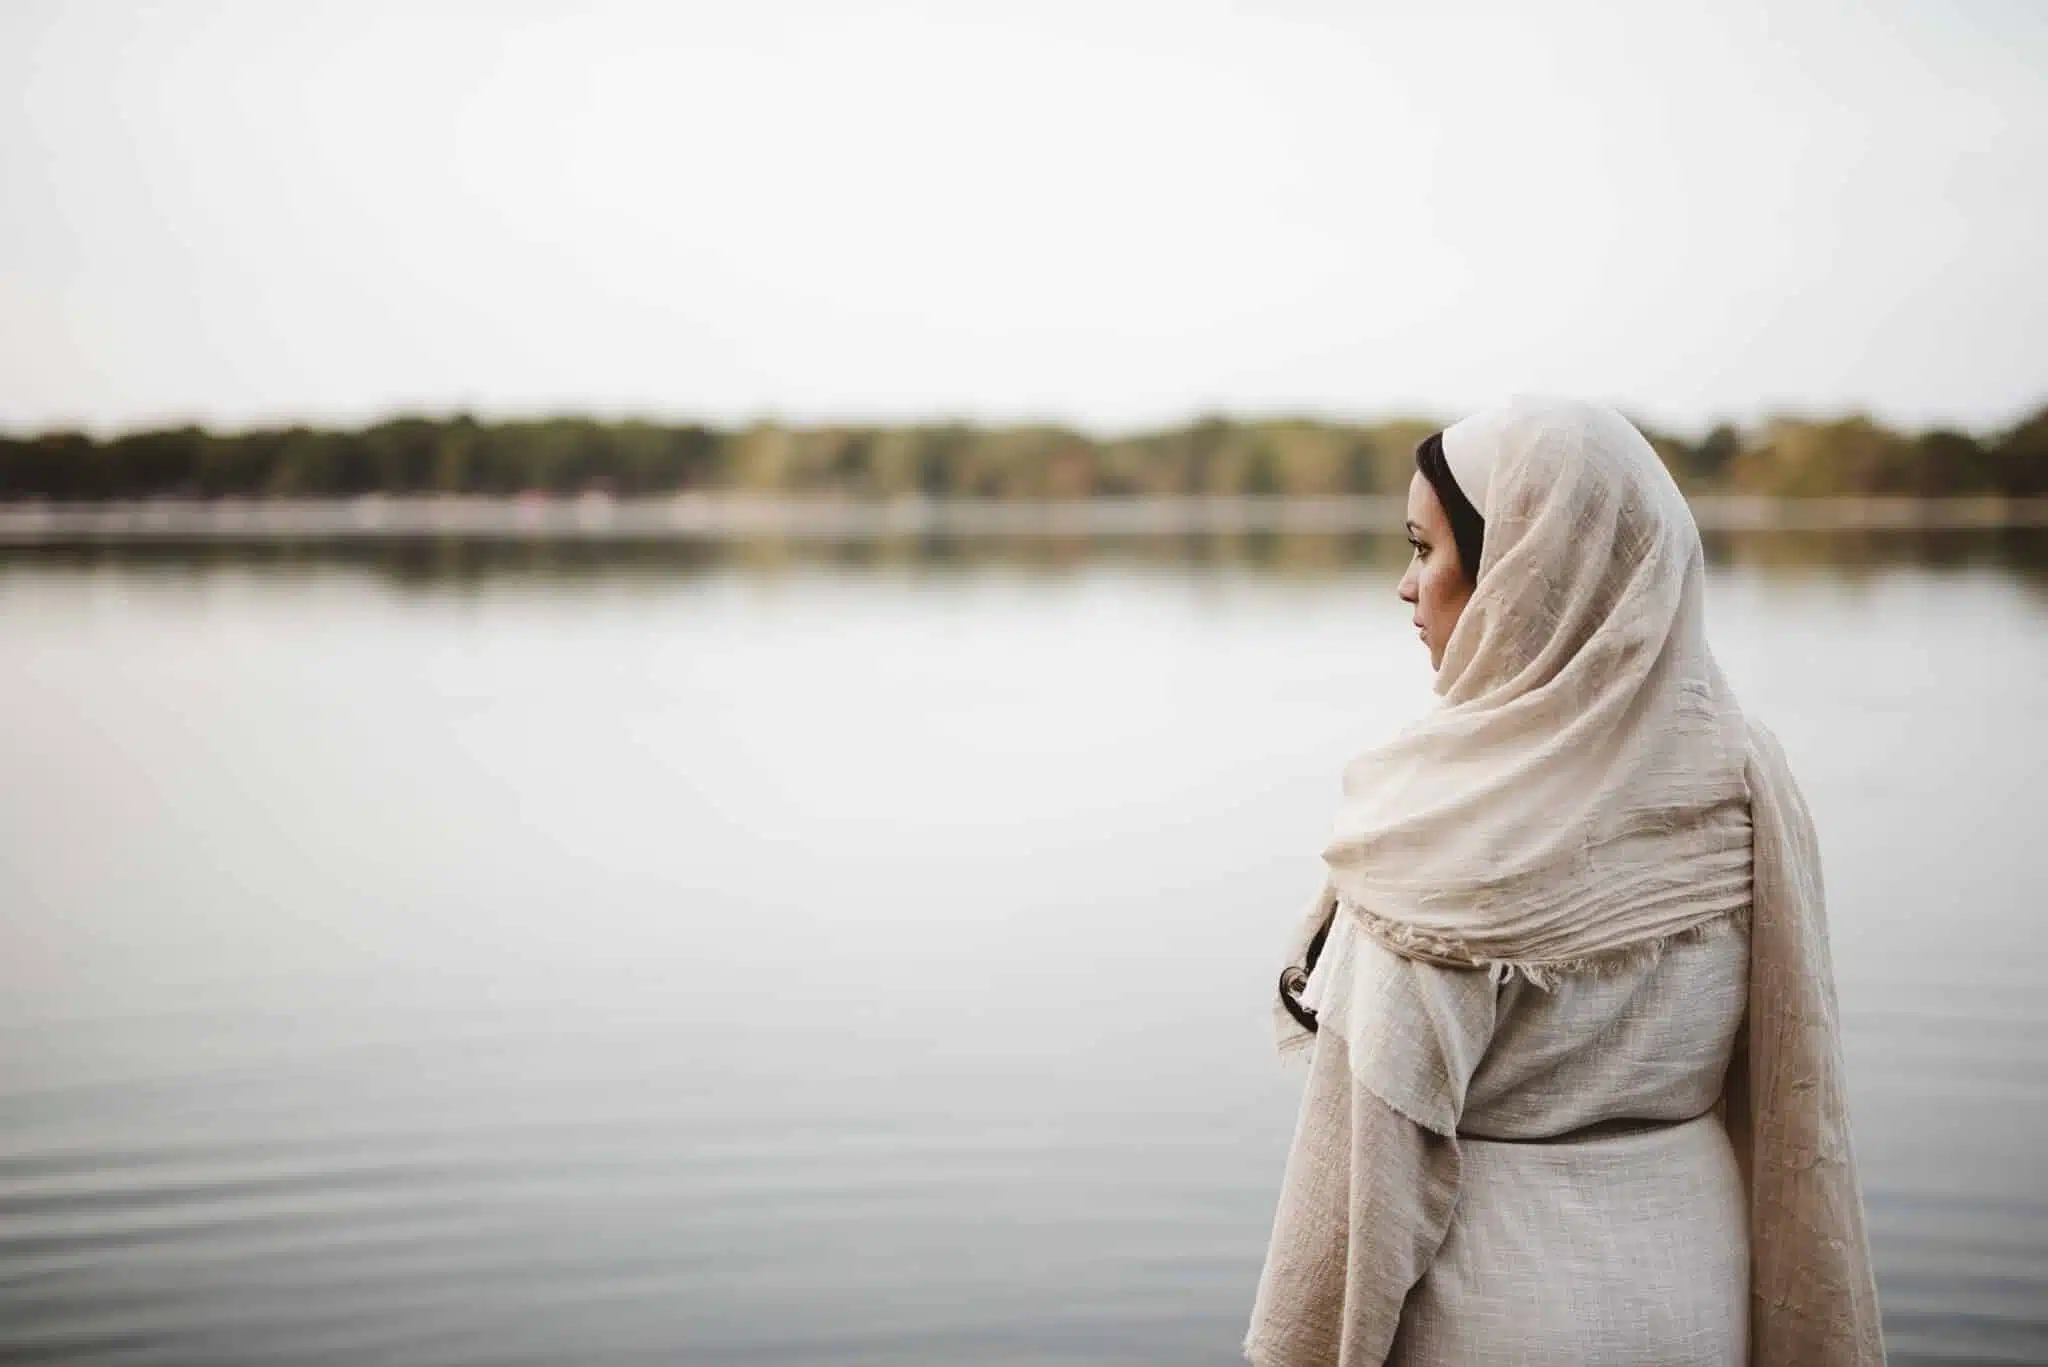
[(1115, 212)]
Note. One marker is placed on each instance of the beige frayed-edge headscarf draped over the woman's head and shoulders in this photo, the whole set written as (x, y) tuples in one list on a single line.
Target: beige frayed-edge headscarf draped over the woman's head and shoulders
[(1590, 790)]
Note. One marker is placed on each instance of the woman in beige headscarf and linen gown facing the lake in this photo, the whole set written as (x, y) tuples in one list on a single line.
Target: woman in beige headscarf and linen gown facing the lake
[(1576, 1085)]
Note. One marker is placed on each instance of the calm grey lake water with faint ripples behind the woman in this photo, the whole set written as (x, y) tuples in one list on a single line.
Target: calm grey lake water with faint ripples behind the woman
[(761, 962)]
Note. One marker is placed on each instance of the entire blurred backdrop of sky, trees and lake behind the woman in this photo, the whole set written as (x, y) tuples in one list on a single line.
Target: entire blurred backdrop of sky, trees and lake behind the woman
[(669, 671)]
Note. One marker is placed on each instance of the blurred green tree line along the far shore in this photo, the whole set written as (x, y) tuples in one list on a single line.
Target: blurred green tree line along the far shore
[(1213, 456)]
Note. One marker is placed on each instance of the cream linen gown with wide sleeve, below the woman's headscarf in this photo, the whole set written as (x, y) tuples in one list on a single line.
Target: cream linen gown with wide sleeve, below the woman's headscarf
[(1510, 1173)]
